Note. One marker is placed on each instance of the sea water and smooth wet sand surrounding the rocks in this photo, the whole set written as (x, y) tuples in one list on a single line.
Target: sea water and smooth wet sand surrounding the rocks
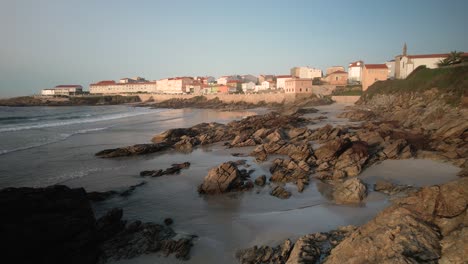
[(41, 146)]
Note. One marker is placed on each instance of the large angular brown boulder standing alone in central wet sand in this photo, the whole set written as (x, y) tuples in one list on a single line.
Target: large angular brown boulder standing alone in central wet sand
[(224, 178)]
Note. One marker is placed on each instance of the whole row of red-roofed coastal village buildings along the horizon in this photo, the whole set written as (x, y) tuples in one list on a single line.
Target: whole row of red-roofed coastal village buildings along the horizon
[(301, 80)]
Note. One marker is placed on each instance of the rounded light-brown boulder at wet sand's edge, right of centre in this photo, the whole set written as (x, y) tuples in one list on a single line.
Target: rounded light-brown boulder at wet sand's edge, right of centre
[(350, 191)]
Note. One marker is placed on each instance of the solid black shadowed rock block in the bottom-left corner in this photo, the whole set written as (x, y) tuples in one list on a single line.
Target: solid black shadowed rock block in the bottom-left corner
[(47, 225)]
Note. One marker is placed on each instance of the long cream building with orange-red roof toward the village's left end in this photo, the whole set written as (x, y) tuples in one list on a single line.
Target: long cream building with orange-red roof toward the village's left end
[(112, 87)]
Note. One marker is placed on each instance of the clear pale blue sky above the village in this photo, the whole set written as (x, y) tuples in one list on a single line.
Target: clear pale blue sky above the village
[(45, 43)]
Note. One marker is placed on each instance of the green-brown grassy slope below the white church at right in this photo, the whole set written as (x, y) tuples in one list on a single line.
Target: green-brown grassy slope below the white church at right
[(452, 83)]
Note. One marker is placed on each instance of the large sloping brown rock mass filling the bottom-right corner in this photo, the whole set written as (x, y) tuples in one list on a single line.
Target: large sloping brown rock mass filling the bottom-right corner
[(419, 228)]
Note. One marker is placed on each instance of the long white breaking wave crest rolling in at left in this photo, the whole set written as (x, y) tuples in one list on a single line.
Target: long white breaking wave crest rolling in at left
[(73, 121)]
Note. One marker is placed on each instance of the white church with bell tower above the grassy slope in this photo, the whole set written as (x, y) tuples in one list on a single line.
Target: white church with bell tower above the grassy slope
[(405, 64)]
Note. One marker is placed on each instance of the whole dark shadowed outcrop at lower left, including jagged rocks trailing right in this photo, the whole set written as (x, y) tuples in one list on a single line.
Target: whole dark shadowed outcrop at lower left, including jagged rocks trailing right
[(57, 225)]
